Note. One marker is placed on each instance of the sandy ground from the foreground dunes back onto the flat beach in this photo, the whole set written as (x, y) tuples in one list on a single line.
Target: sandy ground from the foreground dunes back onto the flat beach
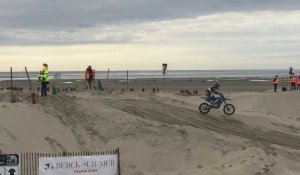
[(162, 133)]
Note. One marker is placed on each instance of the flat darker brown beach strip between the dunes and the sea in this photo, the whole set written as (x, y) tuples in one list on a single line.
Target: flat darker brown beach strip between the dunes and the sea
[(173, 85)]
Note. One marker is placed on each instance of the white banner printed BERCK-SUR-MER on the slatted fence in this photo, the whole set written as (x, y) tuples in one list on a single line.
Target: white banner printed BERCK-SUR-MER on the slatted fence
[(85, 165)]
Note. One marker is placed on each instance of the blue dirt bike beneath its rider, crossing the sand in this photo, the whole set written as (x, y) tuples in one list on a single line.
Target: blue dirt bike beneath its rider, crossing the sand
[(228, 109)]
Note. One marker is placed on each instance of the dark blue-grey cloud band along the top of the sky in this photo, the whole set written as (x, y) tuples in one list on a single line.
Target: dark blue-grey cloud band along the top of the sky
[(59, 15)]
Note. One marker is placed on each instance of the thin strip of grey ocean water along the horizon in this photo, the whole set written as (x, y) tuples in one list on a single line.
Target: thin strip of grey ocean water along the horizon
[(156, 74)]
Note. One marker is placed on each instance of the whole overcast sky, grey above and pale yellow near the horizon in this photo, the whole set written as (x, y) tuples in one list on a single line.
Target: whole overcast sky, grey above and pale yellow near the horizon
[(143, 34)]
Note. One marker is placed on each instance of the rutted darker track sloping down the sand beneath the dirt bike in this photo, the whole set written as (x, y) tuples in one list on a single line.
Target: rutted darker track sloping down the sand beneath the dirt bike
[(155, 110)]
